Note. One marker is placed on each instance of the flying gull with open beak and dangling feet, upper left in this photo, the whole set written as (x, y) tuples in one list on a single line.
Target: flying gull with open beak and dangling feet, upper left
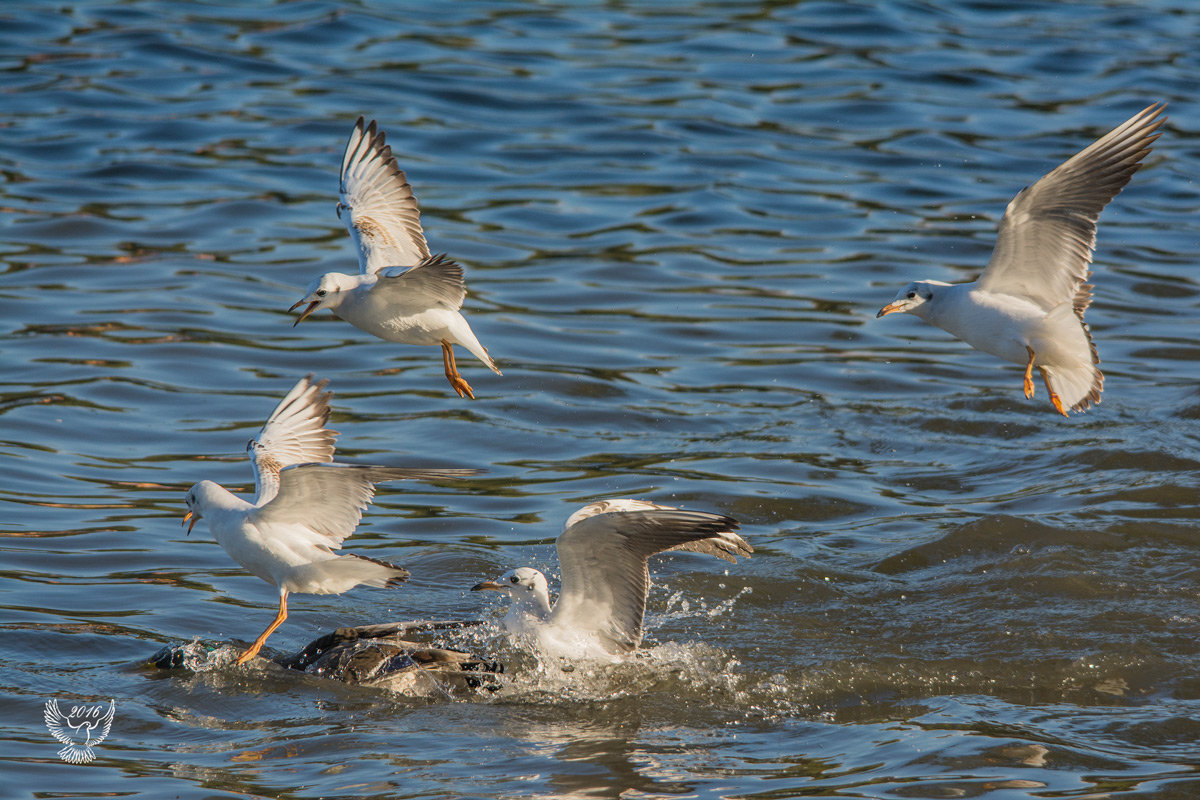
[(403, 293)]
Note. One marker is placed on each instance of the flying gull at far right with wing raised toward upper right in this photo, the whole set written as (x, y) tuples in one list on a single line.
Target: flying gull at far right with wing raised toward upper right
[(1028, 306)]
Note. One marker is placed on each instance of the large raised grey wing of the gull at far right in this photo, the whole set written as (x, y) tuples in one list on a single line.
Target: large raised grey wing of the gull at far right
[(1045, 246)]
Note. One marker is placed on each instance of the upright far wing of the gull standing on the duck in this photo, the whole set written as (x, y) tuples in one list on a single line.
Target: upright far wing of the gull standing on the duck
[(296, 434)]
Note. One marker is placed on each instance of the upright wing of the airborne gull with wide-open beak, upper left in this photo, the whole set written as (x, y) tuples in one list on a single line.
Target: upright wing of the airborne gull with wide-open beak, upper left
[(377, 204)]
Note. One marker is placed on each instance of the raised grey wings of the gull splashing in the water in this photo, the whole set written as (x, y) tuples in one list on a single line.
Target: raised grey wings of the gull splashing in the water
[(604, 564)]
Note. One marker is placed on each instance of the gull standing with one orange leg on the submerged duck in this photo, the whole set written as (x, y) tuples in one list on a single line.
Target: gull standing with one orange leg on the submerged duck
[(304, 507)]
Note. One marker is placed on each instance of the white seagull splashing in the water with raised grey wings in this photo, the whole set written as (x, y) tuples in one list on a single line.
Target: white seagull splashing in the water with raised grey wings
[(603, 554)]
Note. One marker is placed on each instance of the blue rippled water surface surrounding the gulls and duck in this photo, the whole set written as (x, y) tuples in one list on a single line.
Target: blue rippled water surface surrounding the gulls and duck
[(677, 222)]
